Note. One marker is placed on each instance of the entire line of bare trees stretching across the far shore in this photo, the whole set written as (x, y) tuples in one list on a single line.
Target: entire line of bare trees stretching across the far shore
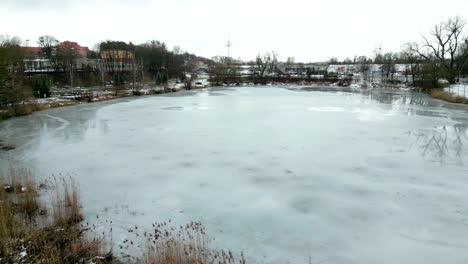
[(442, 54)]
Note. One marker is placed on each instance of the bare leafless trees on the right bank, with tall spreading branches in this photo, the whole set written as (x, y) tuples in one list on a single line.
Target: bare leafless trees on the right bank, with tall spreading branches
[(443, 54)]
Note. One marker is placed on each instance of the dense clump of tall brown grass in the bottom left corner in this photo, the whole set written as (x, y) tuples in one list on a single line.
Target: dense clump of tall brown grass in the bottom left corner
[(29, 235)]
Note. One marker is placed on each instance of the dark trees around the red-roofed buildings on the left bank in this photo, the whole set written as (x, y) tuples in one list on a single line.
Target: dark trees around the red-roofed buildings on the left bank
[(112, 62)]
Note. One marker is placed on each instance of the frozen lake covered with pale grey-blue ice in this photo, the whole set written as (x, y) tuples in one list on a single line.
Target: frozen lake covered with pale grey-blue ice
[(286, 176)]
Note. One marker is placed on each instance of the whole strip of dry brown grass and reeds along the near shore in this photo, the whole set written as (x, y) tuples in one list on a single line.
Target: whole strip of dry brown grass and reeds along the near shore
[(43, 223)]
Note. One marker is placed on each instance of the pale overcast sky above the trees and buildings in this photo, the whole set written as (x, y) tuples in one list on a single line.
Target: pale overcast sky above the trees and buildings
[(309, 30)]
